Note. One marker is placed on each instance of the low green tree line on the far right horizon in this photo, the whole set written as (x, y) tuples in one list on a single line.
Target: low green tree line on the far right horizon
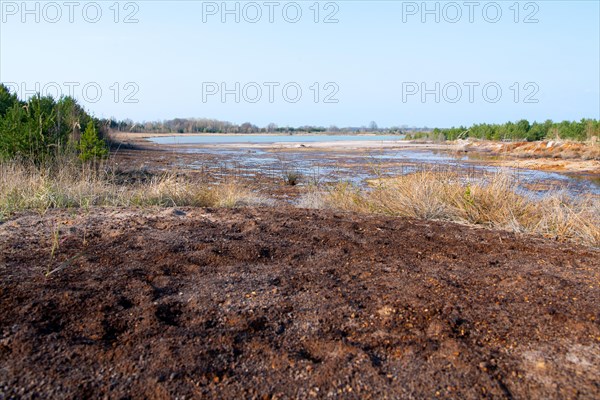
[(586, 129)]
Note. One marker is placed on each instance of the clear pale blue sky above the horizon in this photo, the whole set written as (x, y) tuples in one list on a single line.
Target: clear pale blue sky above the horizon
[(371, 55)]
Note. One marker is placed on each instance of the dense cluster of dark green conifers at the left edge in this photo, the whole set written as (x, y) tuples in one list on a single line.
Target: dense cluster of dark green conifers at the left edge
[(41, 128)]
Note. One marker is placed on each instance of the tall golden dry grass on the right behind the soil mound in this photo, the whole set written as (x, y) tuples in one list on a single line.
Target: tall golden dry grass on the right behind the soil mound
[(494, 202)]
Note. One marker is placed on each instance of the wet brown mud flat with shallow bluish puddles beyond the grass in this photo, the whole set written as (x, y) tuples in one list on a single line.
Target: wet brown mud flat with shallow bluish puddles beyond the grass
[(268, 165)]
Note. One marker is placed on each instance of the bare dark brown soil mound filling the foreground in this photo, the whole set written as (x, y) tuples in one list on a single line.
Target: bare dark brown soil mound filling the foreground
[(263, 303)]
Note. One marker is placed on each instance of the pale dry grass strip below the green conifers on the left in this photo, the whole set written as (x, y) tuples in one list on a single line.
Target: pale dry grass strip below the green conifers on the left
[(72, 185)]
